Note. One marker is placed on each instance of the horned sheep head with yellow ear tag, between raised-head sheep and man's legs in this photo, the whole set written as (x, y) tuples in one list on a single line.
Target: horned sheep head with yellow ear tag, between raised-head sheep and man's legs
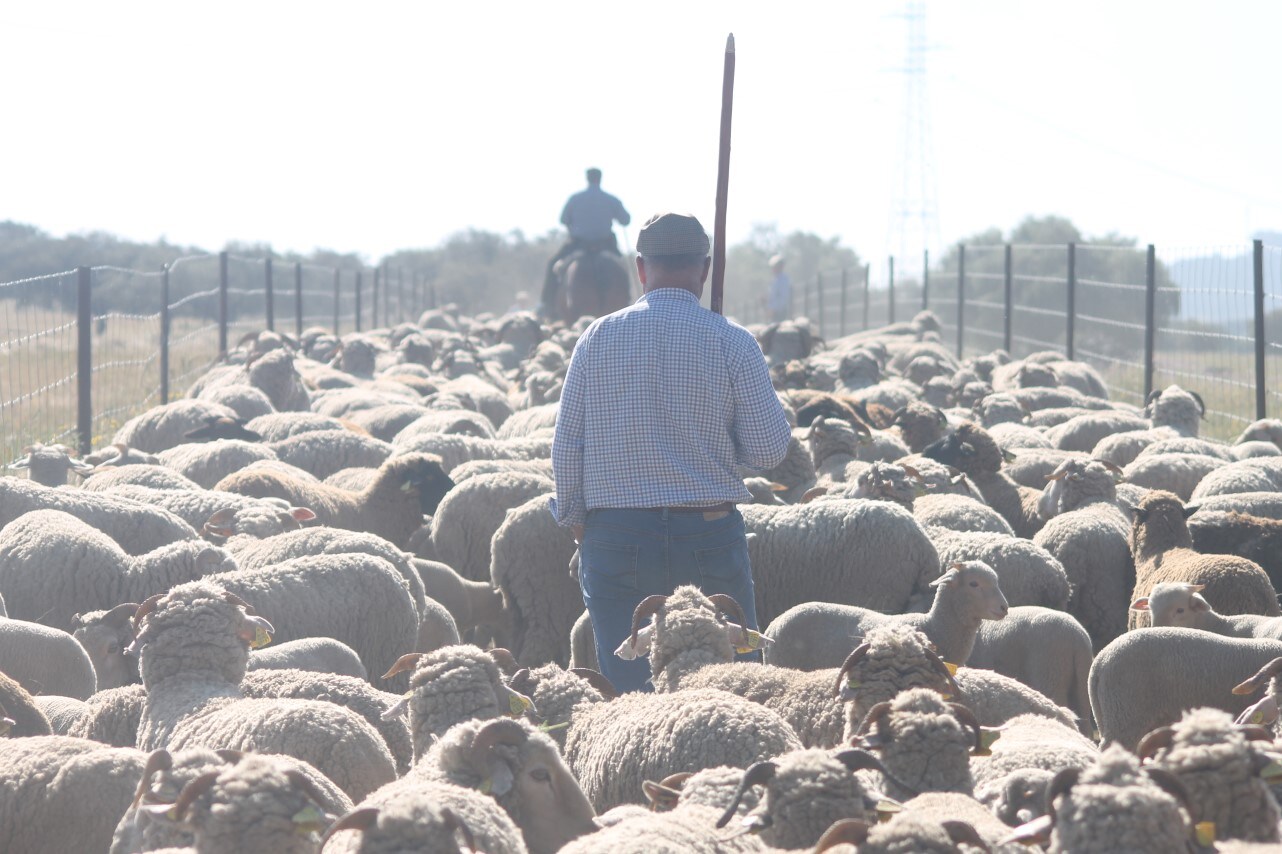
[(449, 687)]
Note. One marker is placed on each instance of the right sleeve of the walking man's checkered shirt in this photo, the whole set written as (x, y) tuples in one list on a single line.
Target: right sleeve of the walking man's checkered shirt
[(761, 429)]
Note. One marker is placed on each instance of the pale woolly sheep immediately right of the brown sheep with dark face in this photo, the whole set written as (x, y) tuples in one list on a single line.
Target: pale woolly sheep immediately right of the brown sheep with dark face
[(470, 515)]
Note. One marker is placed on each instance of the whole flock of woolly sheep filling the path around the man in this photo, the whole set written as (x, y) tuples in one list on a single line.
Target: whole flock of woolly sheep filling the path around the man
[(321, 606)]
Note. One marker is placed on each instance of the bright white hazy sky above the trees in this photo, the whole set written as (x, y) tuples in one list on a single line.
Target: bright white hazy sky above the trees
[(380, 126)]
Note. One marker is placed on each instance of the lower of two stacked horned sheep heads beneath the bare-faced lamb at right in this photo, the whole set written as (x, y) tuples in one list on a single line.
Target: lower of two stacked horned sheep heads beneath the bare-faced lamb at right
[(924, 743)]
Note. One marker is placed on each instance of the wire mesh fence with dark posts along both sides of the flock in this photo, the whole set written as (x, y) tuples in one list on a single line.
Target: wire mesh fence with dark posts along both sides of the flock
[(1208, 319)]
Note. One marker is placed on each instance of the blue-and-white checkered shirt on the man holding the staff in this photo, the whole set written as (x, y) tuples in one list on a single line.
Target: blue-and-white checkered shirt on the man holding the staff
[(663, 402)]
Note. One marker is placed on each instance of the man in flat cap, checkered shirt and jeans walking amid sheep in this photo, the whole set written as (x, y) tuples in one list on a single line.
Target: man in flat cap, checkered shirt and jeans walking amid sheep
[(662, 405)]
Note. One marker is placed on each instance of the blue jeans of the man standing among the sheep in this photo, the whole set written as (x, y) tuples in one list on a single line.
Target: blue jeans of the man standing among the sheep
[(628, 556)]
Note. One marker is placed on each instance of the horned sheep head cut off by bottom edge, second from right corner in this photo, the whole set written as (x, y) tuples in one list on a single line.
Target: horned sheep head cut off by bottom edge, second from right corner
[(1113, 806)]
